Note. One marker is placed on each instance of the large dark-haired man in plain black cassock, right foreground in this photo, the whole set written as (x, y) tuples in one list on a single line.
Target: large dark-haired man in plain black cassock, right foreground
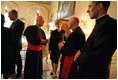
[(94, 58)]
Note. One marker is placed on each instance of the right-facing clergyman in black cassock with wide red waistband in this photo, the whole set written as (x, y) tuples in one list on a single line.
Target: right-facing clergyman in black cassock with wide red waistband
[(36, 38)]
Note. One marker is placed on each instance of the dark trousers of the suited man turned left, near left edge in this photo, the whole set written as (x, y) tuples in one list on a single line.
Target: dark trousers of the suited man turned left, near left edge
[(18, 62)]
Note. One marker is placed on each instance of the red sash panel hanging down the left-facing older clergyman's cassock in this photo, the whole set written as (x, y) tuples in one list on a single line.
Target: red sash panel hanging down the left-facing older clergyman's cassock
[(66, 67)]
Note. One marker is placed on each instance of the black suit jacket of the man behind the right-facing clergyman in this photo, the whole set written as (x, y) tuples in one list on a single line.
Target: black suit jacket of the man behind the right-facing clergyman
[(17, 30)]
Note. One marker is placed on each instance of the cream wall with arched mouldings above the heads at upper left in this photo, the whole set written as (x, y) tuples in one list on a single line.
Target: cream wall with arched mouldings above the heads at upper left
[(27, 10)]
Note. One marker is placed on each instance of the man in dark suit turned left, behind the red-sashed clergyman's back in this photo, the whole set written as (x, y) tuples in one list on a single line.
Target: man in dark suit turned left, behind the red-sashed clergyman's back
[(17, 28)]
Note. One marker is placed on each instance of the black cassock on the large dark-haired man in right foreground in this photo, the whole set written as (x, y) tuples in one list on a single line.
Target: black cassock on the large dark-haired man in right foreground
[(97, 52)]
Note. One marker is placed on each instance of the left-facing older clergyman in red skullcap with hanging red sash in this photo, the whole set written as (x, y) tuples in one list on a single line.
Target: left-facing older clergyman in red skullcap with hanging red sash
[(74, 42)]
